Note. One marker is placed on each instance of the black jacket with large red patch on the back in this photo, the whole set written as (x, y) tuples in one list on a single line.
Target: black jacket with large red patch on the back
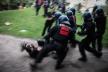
[(58, 34)]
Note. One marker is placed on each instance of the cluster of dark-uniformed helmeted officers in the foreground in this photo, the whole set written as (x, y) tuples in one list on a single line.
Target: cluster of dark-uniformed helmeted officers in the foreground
[(63, 33)]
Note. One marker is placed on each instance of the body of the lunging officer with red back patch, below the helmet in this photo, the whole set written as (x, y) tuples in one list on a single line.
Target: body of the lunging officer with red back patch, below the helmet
[(60, 36)]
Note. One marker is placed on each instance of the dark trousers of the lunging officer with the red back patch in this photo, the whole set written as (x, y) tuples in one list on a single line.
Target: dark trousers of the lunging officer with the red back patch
[(60, 49)]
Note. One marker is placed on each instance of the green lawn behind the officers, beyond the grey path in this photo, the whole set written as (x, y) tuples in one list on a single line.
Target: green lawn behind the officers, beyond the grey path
[(26, 19)]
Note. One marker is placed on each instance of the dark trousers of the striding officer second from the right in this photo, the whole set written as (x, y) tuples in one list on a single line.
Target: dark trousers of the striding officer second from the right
[(85, 45)]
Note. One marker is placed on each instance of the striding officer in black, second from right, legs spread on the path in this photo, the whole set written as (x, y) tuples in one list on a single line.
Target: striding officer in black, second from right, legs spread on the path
[(88, 29)]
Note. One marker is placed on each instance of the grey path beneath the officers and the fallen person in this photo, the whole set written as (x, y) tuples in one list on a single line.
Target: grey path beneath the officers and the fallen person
[(13, 60)]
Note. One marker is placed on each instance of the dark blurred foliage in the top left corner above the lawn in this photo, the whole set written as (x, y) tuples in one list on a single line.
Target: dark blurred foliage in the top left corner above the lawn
[(13, 4)]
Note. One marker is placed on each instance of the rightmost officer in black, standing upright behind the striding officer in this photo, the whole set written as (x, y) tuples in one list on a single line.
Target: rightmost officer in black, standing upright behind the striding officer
[(100, 20)]
